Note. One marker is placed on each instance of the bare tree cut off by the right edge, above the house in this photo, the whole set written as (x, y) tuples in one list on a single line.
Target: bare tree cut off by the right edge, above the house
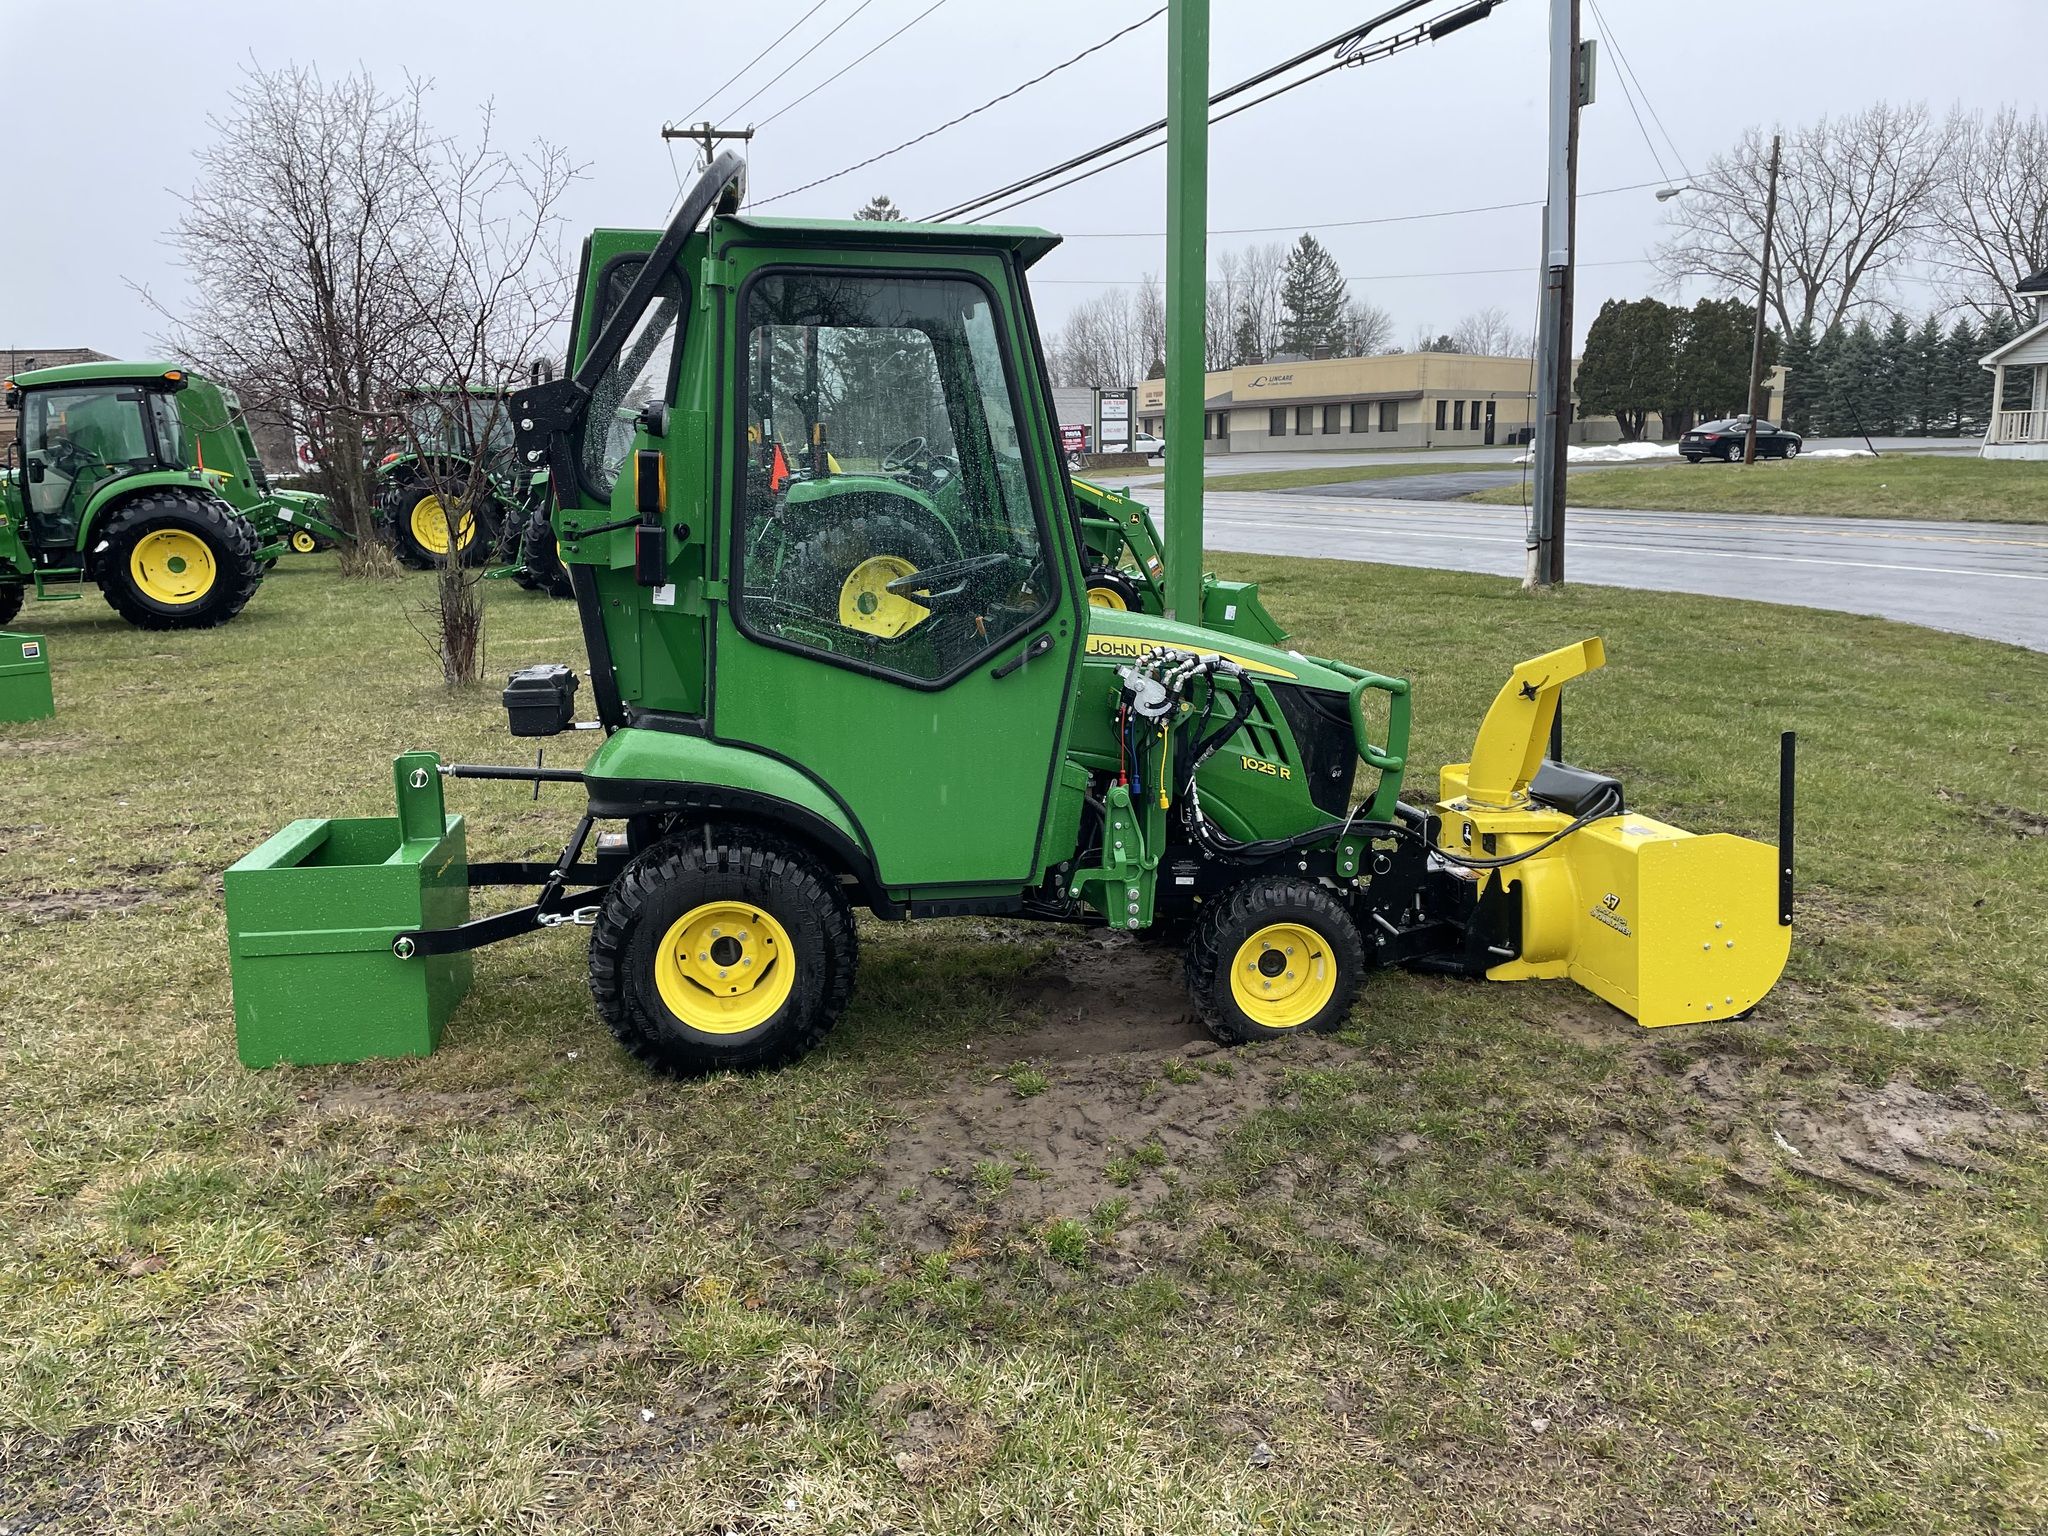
[(1992, 208)]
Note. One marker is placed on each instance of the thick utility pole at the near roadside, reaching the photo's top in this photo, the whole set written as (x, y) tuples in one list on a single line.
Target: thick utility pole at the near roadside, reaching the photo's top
[(1570, 89)]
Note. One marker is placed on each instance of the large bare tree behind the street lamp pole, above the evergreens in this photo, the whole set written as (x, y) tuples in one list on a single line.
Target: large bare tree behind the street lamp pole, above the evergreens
[(1854, 202)]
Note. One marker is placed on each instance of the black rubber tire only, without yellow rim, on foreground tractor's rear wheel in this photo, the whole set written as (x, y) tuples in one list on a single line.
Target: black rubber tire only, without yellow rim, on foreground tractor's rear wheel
[(746, 861)]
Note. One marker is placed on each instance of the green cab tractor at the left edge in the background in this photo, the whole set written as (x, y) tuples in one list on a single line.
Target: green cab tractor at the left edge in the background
[(103, 486)]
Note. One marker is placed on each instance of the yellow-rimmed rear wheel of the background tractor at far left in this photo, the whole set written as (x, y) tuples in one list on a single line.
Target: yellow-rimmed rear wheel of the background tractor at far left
[(177, 560)]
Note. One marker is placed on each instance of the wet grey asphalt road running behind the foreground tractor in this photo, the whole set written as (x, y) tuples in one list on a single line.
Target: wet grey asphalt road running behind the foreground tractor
[(1971, 579)]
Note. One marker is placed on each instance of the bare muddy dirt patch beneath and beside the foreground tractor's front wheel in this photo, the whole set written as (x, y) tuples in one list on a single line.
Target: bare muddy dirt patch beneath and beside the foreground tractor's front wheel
[(1105, 1097)]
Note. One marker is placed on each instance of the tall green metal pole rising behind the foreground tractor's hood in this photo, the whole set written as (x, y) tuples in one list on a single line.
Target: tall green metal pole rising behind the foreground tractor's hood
[(1187, 300)]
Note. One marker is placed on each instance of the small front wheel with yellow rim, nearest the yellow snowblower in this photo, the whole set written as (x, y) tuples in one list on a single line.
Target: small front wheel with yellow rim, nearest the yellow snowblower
[(1275, 957)]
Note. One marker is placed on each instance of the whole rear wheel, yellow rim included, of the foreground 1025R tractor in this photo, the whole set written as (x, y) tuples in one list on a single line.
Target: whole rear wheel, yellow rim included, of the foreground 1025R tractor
[(722, 949)]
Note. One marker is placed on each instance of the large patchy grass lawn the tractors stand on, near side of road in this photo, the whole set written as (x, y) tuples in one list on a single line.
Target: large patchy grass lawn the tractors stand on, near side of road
[(1017, 1252)]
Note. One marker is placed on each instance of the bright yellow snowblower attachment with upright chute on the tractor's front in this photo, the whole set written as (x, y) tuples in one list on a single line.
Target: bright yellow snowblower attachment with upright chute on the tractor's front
[(1668, 927)]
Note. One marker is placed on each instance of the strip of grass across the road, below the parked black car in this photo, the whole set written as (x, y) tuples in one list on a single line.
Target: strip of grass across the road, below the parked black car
[(1945, 488)]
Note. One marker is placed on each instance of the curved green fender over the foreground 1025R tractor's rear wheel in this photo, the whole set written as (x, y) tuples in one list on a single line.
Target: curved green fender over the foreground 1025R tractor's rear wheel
[(673, 771)]
